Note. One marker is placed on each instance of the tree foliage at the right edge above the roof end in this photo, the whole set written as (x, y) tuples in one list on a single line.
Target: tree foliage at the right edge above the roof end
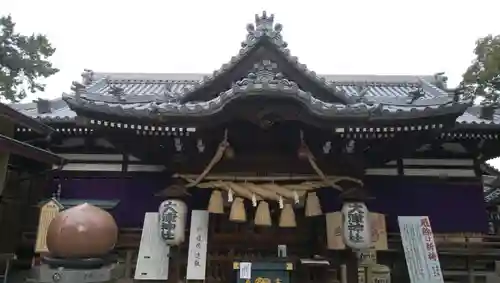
[(484, 73)]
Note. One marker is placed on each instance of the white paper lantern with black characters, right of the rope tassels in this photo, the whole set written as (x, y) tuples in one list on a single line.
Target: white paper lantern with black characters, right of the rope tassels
[(356, 228)]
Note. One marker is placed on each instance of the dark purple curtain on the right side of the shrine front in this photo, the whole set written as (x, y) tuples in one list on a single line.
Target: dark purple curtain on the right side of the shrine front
[(452, 208)]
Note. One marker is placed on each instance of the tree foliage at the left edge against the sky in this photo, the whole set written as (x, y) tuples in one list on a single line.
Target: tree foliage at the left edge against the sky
[(23, 61)]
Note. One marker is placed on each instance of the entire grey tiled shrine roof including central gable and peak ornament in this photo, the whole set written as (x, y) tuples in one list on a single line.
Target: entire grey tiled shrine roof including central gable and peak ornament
[(368, 96)]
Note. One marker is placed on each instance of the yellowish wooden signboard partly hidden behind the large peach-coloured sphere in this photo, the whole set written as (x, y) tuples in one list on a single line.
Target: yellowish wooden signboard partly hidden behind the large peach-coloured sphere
[(47, 212)]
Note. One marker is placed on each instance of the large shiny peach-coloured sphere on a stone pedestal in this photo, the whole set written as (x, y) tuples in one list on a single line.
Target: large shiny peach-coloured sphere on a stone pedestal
[(82, 231)]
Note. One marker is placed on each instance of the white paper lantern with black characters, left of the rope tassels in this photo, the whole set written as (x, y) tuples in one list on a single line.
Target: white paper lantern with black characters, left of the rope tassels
[(173, 221)]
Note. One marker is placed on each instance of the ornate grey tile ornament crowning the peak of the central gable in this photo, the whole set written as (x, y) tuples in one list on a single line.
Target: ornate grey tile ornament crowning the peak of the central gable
[(264, 27)]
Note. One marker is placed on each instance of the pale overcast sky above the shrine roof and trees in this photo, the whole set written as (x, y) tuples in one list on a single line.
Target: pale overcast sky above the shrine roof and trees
[(330, 37)]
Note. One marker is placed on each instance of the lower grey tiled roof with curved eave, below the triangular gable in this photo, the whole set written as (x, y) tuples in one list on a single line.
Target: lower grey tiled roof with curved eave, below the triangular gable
[(381, 100)]
